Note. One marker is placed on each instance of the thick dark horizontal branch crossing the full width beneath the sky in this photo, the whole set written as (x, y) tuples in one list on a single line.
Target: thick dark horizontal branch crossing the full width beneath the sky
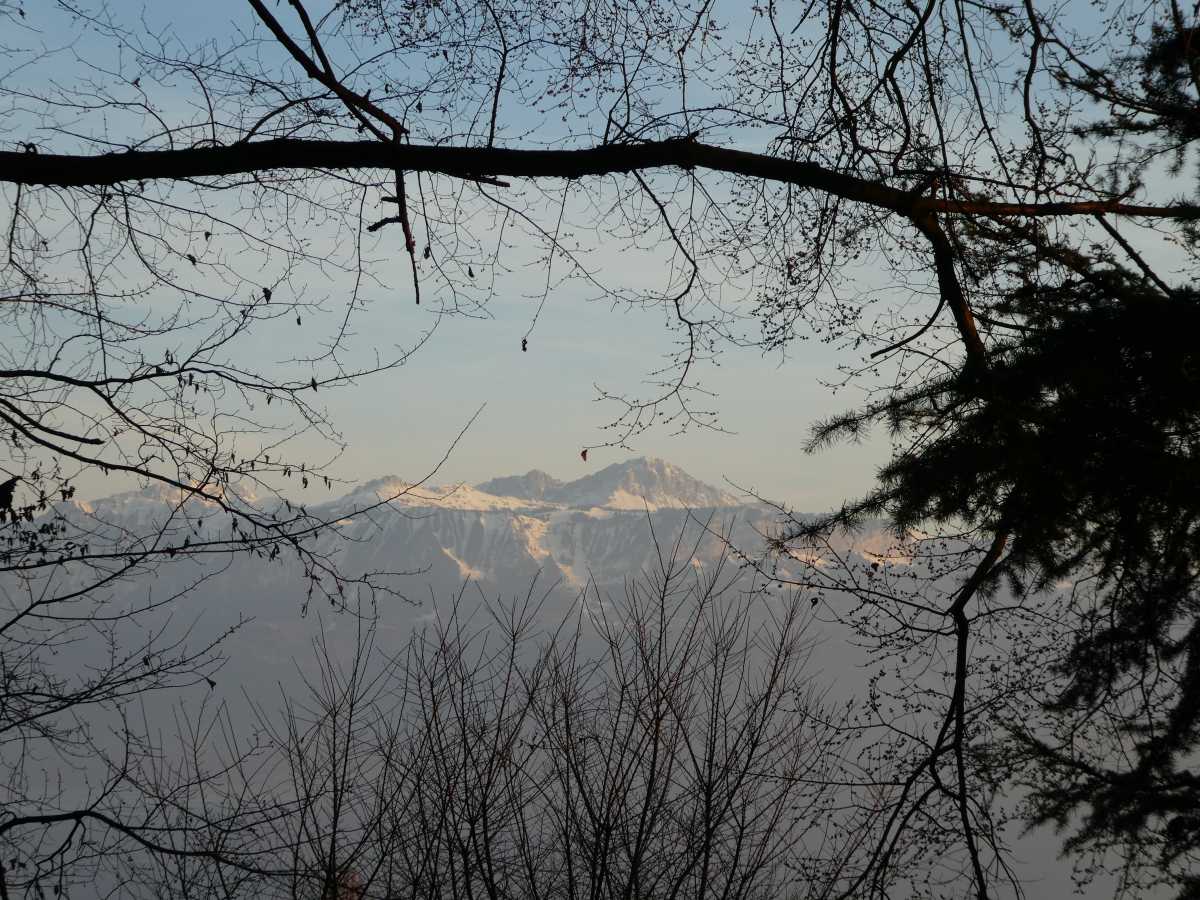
[(478, 163)]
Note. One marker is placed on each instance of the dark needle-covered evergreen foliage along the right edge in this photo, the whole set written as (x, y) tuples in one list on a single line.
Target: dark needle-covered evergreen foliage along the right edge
[(1078, 441)]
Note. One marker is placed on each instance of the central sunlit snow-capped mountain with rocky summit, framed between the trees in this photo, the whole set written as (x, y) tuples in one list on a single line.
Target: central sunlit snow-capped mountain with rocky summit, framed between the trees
[(503, 532)]
